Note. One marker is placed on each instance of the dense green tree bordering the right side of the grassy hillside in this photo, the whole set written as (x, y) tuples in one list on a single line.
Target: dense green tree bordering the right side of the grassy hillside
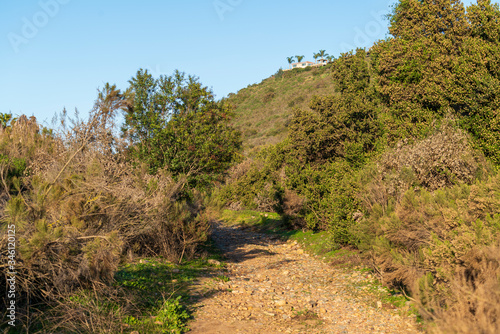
[(338, 126)]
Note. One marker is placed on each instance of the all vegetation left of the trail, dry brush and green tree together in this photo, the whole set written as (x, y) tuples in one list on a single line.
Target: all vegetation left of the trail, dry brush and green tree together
[(84, 200)]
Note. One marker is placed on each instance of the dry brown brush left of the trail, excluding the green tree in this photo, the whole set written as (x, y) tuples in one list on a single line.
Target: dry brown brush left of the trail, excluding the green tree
[(80, 207)]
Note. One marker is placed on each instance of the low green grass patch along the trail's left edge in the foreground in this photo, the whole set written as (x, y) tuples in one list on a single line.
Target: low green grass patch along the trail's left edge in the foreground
[(159, 290)]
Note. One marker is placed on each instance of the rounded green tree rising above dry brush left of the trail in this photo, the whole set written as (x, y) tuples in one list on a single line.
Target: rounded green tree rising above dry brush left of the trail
[(175, 123)]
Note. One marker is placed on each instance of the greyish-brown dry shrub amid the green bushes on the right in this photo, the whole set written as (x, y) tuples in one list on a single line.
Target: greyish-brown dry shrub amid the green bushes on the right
[(443, 159)]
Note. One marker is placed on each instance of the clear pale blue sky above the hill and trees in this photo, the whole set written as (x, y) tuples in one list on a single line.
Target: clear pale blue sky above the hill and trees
[(56, 53)]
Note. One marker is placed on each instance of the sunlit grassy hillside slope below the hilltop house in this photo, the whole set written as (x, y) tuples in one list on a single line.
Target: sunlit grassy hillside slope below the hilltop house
[(263, 109)]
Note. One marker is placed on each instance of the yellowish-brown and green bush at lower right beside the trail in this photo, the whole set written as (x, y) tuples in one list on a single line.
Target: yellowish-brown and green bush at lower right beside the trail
[(428, 242)]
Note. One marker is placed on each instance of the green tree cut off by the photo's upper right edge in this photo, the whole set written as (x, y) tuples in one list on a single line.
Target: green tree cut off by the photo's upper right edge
[(477, 78)]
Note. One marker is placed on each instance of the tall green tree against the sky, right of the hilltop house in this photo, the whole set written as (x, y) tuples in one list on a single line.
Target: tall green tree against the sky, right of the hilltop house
[(416, 65)]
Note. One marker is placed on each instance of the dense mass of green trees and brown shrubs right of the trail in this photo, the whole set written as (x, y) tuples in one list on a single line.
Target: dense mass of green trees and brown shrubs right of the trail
[(401, 161)]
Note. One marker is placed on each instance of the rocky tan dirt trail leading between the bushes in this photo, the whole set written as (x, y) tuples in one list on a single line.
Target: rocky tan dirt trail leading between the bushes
[(275, 287)]
